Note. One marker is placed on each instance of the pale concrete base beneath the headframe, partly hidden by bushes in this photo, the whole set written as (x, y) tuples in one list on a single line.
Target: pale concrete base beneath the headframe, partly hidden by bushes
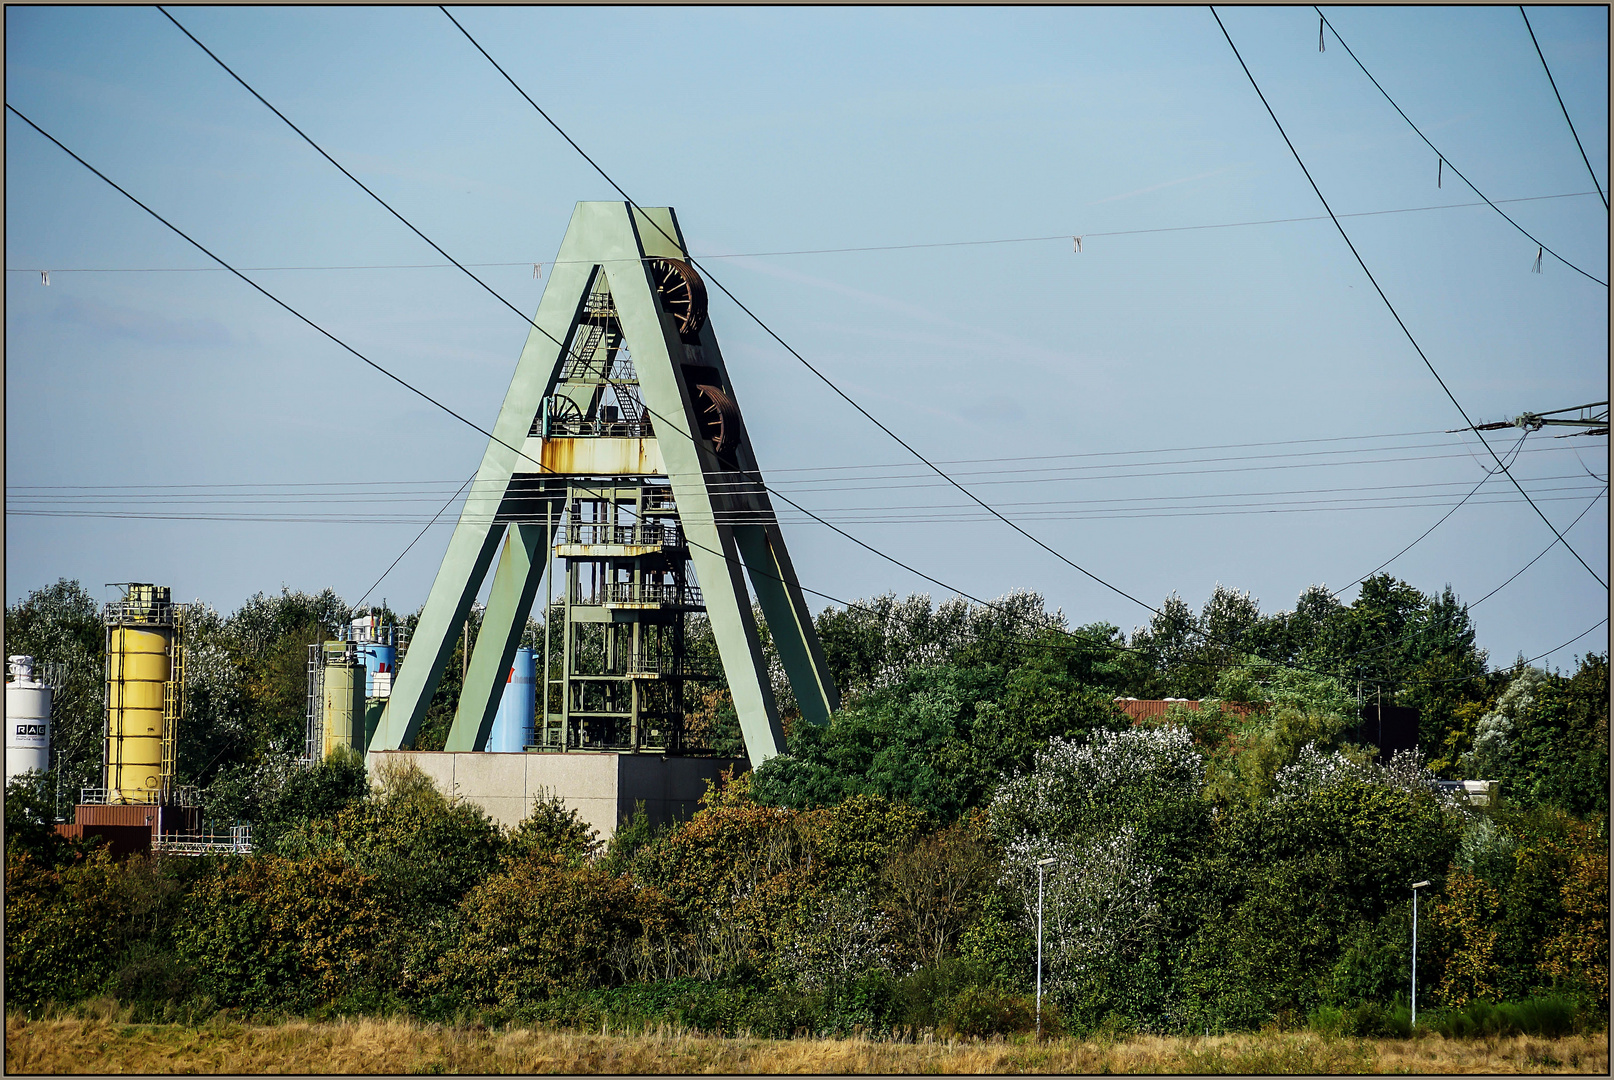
[(603, 789)]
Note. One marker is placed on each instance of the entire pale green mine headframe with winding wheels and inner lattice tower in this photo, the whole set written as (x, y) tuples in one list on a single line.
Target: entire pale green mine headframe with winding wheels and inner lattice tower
[(624, 453)]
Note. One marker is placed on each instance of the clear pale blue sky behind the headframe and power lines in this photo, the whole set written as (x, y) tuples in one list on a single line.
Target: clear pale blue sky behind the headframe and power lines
[(1260, 417)]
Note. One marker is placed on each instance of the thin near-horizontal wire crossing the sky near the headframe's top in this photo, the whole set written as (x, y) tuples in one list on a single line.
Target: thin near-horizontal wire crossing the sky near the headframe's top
[(816, 251)]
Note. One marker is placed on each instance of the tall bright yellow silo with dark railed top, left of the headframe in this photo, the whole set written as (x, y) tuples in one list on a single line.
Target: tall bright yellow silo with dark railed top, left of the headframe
[(144, 693)]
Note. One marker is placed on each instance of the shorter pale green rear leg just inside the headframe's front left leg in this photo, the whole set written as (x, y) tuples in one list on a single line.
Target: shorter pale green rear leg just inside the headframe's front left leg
[(509, 601)]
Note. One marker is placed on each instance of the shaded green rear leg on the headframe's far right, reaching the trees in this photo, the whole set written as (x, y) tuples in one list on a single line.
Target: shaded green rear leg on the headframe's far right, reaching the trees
[(790, 622)]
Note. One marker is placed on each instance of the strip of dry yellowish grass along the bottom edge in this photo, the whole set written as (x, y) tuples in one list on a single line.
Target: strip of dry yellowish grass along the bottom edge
[(101, 1040)]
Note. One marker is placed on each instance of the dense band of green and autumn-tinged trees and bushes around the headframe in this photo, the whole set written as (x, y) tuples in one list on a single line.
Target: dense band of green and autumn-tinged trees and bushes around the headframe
[(1216, 873)]
